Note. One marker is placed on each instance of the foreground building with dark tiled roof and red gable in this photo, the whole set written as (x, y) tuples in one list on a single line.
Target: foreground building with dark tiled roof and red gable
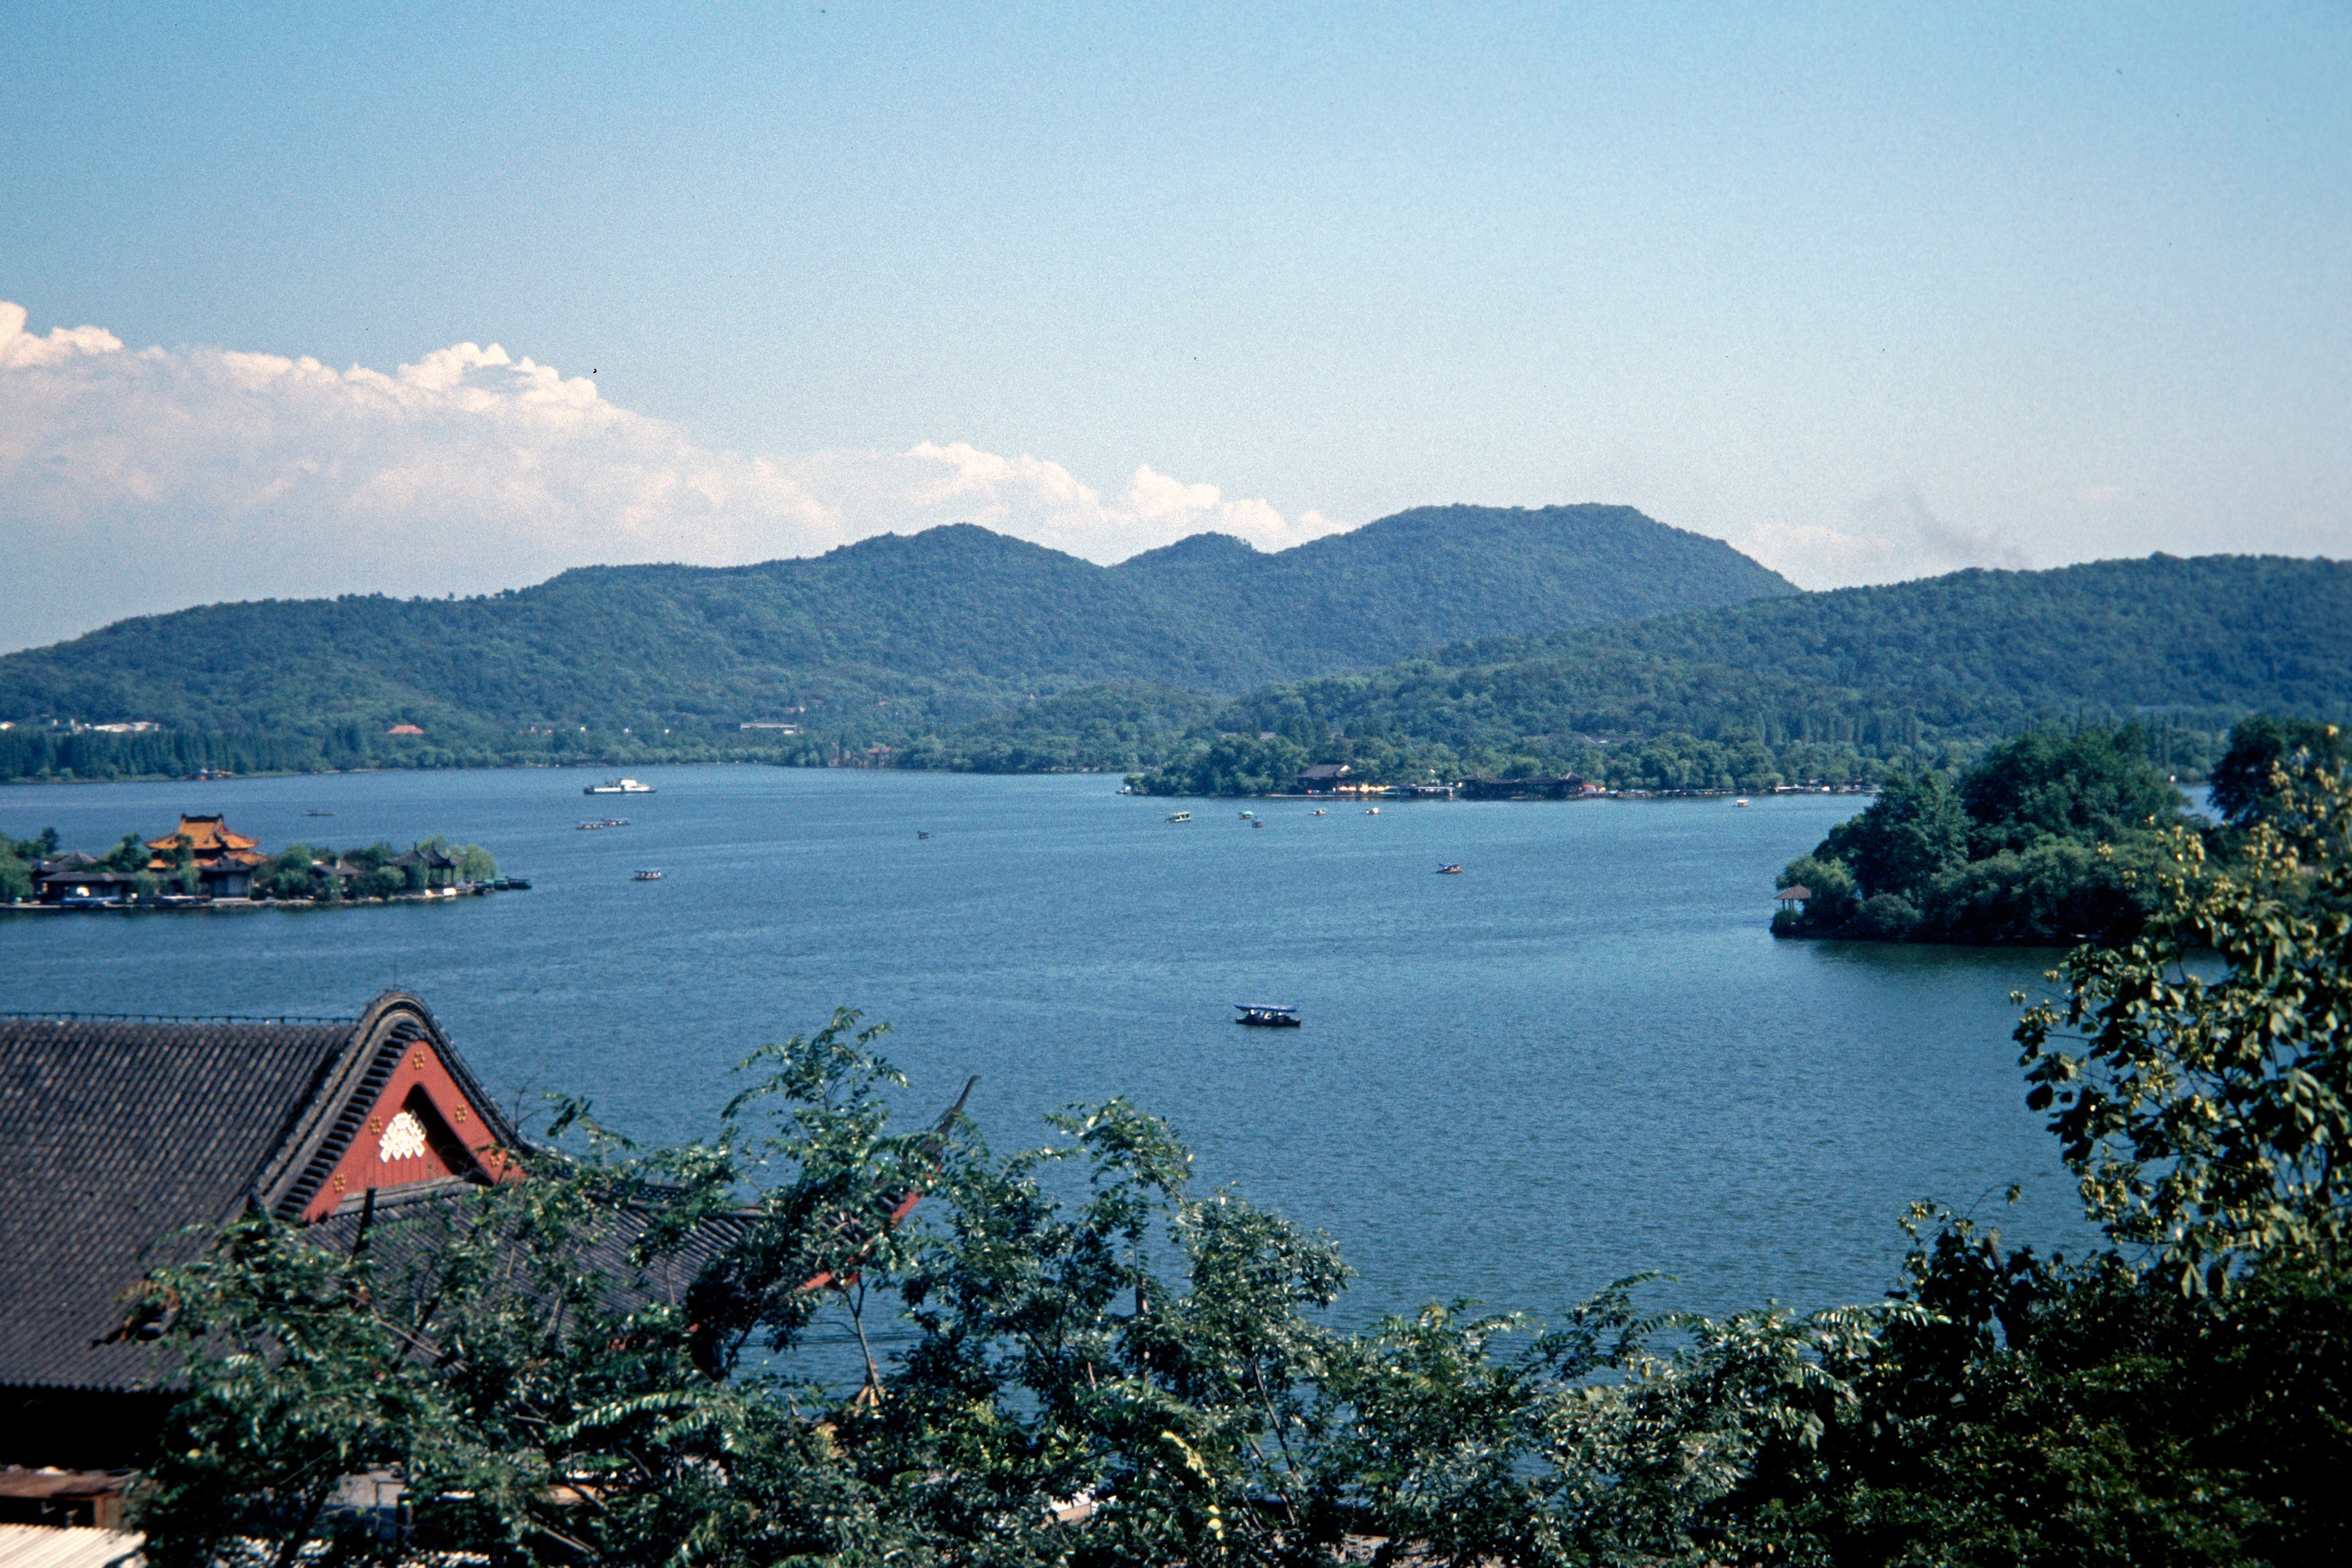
[(126, 1144)]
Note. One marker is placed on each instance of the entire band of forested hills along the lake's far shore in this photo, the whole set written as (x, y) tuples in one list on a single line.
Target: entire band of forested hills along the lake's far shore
[(1384, 657)]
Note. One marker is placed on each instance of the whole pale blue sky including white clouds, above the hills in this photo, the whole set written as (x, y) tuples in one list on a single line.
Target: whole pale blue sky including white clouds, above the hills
[(1869, 293)]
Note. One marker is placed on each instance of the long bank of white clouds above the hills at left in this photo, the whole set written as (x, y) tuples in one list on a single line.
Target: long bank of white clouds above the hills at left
[(135, 483)]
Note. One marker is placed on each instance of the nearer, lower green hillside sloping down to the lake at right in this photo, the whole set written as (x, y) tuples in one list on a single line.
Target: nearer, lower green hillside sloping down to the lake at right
[(1829, 685)]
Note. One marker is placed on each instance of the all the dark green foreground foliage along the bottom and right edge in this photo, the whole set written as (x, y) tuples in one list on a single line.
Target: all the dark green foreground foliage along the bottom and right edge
[(617, 1360)]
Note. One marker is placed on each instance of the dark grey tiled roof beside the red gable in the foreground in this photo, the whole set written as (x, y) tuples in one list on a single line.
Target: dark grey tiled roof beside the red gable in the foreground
[(119, 1134)]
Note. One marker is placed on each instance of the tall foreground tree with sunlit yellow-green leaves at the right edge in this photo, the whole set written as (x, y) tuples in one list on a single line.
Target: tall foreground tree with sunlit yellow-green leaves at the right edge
[(2210, 1115)]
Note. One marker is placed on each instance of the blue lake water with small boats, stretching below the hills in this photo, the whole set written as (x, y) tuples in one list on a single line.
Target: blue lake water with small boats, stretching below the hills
[(1579, 1059)]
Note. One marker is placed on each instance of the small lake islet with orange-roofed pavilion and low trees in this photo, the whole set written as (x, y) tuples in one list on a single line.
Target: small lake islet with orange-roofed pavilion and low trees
[(206, 864)]
